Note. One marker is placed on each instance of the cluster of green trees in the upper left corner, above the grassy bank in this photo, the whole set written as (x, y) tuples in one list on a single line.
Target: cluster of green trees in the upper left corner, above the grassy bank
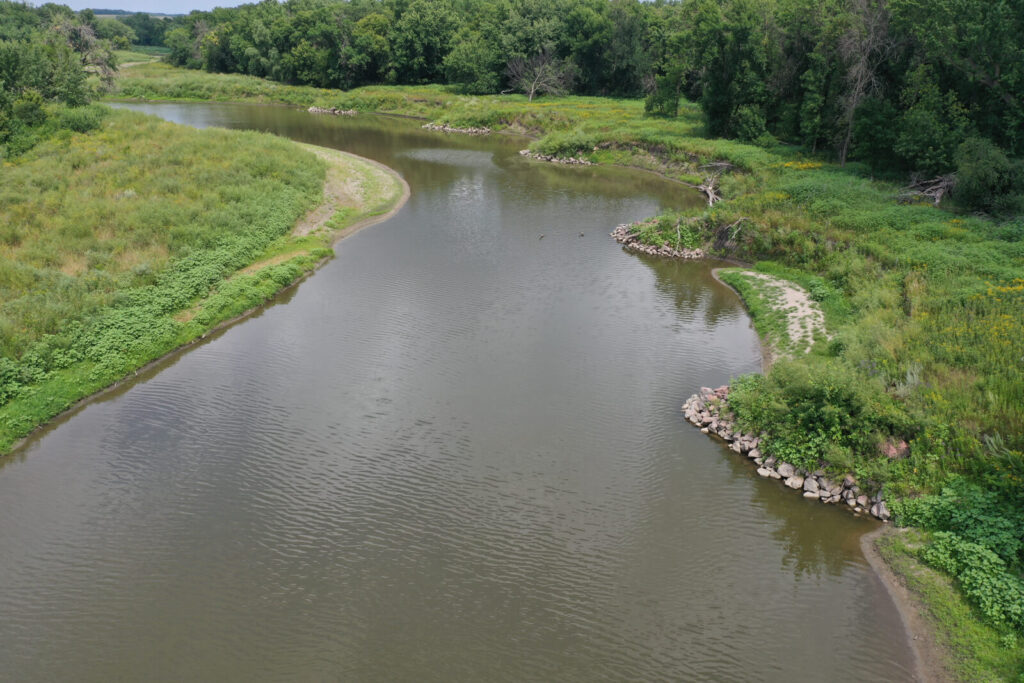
[(49, 57)]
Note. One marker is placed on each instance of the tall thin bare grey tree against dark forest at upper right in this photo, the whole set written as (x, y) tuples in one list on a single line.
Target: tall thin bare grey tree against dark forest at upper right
[(865, 47)]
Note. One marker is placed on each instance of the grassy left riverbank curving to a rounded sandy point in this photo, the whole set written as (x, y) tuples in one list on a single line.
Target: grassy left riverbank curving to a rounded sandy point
[(122, 244)]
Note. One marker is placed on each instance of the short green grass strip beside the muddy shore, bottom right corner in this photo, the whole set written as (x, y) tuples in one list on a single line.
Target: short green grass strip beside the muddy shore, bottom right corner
[(975, 652)]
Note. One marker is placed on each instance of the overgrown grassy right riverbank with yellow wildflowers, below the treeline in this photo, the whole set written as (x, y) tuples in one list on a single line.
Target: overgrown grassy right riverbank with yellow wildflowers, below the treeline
[(919, 387)]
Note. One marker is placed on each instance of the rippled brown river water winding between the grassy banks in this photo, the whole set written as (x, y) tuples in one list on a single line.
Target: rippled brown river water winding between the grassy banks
[(454, 454)]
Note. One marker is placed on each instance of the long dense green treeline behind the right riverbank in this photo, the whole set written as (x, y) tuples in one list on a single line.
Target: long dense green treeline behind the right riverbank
[(930, 88)]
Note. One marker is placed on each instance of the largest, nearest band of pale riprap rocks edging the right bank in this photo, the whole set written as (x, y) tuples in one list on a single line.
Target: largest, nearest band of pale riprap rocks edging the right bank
[(709, 411)]
